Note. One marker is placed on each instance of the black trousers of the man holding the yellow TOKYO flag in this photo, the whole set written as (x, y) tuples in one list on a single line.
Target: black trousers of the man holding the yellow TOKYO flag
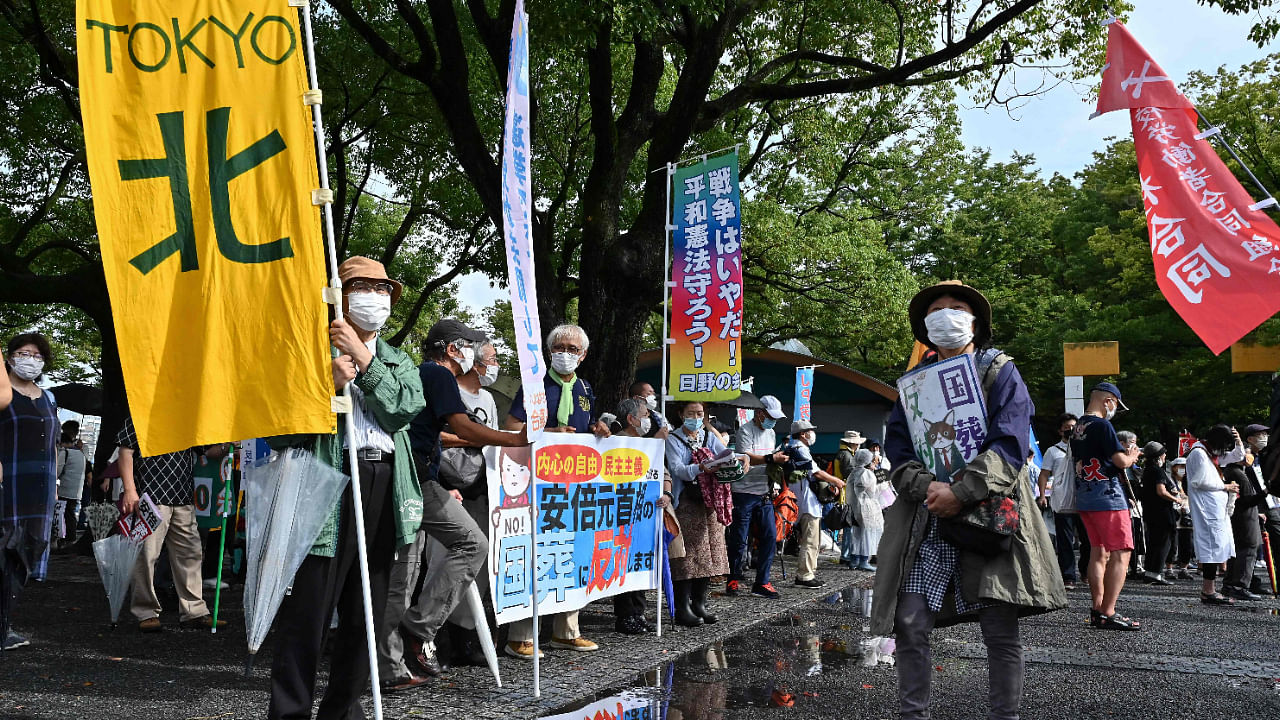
[(322, 585)]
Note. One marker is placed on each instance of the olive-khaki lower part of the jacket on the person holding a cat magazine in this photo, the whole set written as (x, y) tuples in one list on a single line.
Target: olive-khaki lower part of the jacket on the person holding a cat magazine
[(1027, 576)]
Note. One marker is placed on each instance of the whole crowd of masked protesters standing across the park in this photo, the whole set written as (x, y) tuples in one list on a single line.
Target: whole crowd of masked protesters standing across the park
[(1103, 509)]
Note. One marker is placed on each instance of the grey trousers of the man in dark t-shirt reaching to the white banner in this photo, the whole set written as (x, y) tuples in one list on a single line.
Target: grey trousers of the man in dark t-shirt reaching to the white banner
[(449, 522)]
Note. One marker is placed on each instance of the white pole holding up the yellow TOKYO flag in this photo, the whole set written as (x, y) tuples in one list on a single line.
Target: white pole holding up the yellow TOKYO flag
[(333, 295)]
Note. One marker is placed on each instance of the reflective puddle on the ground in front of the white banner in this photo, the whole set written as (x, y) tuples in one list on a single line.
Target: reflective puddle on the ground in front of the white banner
[(749, 669)]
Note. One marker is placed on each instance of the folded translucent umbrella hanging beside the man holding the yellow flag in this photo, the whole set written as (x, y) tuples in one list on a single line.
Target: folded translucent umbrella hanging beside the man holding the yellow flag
[(287, 503)]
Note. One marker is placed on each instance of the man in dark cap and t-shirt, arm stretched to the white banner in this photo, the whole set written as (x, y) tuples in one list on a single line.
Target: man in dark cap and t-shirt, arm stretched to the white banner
[(451, 350)]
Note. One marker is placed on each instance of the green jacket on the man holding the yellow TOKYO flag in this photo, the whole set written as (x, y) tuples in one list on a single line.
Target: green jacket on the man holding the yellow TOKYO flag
[(394, 393)]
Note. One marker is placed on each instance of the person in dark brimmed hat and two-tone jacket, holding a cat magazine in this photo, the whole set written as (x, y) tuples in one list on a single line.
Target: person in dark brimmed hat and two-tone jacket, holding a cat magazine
[(925, 581)]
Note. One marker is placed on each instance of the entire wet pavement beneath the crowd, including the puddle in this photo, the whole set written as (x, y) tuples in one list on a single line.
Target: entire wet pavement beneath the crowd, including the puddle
[(808, 655)]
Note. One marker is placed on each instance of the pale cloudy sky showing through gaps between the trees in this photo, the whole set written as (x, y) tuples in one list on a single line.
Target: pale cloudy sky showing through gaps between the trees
[(1055, 127)]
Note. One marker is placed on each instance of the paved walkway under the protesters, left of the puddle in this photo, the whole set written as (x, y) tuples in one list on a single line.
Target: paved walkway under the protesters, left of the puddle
[(79, 667)]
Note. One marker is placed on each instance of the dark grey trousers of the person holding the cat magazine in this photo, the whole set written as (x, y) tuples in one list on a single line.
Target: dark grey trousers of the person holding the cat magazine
[(1005, 672)]
